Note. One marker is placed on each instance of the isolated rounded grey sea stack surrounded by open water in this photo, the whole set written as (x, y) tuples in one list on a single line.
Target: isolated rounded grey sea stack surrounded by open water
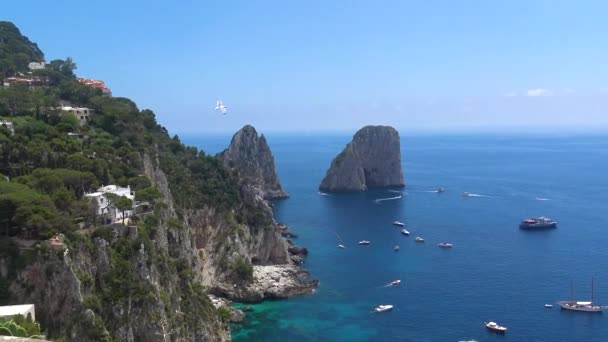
[(371, 159)]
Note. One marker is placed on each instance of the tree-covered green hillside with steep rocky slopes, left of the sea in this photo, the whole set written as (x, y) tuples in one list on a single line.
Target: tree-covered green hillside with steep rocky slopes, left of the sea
[(145, 281)]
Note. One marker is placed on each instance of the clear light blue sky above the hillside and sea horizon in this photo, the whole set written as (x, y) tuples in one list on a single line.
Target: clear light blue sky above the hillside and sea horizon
[(338, 65)]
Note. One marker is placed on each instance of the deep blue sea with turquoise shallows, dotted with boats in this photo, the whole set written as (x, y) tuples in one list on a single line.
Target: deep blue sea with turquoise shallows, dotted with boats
[(495, 270)]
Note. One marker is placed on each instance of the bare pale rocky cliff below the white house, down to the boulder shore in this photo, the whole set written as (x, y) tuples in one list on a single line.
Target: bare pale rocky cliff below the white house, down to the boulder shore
[(158, 275)]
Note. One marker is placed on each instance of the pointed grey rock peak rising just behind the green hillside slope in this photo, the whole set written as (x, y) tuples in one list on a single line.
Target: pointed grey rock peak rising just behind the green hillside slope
[(251, 156)]
